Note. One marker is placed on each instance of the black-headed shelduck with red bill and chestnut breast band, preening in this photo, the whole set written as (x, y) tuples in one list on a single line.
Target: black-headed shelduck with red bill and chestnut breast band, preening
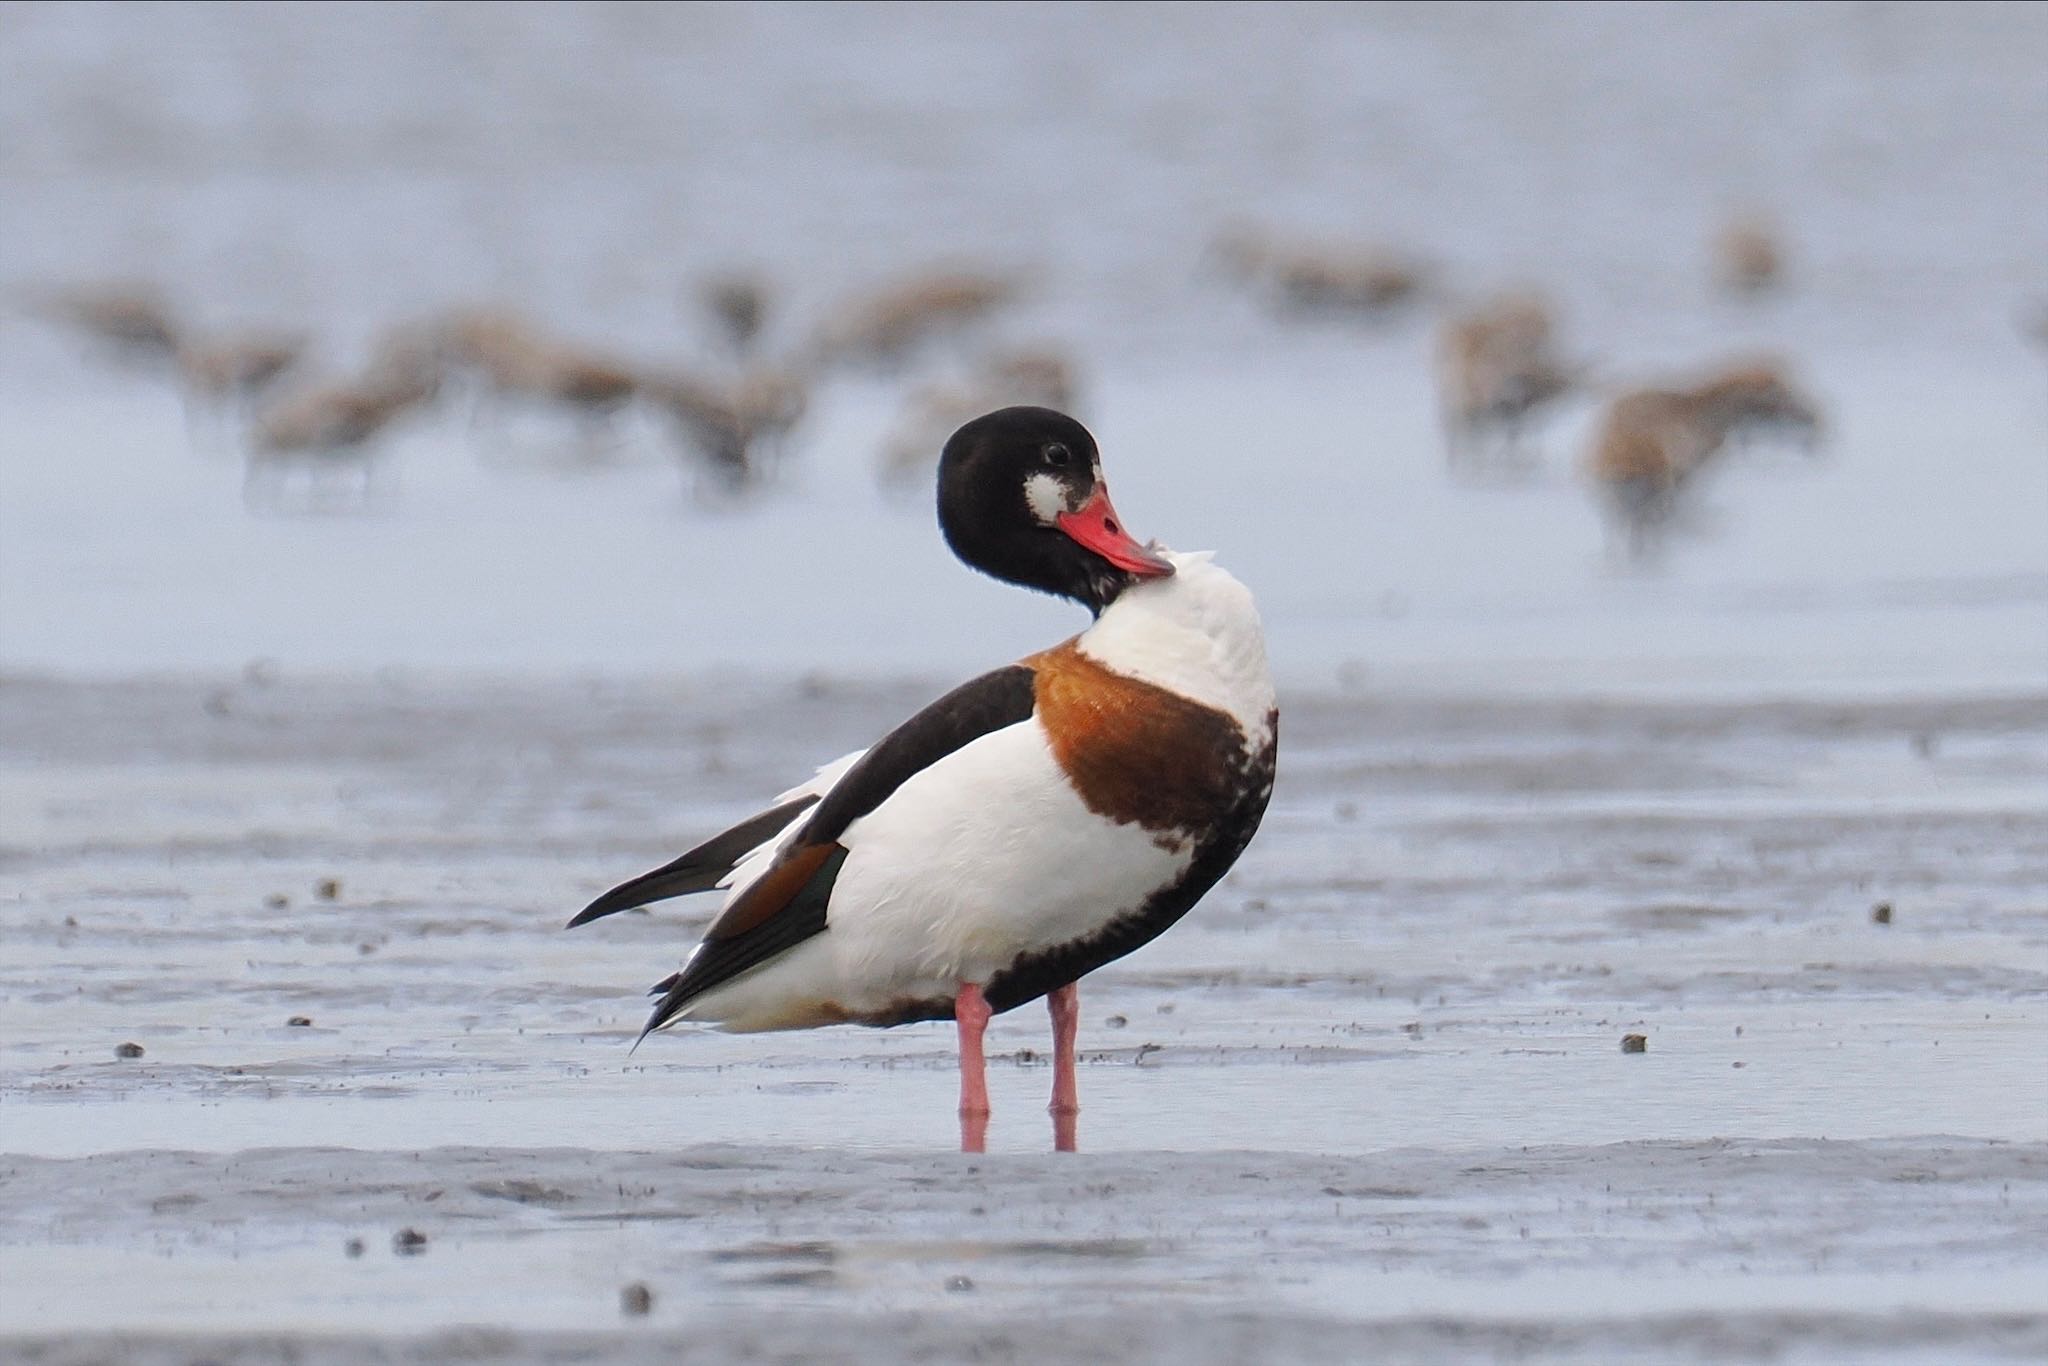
[(1023, 830)]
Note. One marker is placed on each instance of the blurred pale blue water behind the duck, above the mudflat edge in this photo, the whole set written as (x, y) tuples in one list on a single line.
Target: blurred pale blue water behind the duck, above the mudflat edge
[(339, 169)]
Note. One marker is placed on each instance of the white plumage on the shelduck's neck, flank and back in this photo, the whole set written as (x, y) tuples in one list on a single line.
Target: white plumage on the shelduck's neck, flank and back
[(992, 855)]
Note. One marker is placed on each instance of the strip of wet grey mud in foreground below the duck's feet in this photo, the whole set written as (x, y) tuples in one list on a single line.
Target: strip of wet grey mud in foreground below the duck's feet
[(1895, 1250)]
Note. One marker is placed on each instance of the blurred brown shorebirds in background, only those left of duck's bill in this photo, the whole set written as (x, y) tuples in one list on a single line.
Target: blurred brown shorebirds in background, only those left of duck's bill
[(730, 421)]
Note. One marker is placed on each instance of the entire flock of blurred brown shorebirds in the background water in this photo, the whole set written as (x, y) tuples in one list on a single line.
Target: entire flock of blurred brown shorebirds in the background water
[(1500, 366)]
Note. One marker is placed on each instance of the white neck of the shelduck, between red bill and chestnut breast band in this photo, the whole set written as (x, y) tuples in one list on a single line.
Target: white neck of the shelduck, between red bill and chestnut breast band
[(1195, 634)]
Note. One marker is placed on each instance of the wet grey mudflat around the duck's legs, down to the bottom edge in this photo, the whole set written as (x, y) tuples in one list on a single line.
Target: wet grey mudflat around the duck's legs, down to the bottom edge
[(1371, 1099)]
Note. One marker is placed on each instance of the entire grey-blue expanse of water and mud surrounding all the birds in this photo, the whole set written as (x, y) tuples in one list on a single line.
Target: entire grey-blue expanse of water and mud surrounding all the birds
[(1641, 959)]
